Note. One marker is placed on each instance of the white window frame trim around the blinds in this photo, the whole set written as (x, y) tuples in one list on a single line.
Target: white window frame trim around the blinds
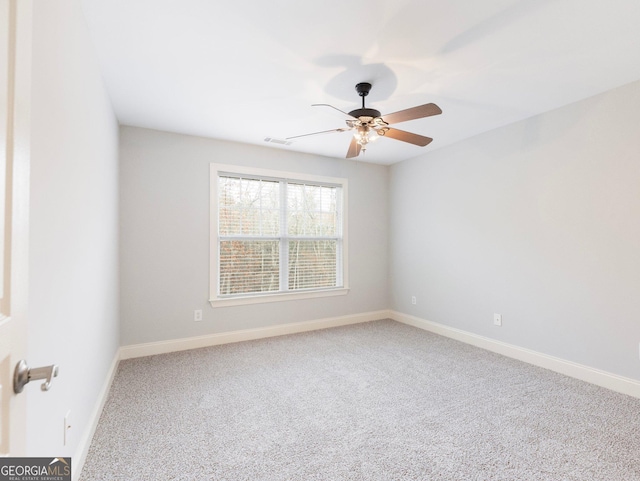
[(256, 298)]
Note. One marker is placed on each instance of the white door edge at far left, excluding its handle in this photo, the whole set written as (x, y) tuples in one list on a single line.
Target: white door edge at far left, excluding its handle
[(15, 86)]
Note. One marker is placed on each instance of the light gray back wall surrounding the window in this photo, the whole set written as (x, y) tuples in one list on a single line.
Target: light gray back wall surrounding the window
[(164, 215)]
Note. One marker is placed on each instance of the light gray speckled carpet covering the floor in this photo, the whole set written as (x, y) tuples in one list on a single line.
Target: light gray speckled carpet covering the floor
[(373, 401)]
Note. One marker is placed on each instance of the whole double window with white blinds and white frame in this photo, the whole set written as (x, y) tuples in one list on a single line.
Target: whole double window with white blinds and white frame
[(275, 236)]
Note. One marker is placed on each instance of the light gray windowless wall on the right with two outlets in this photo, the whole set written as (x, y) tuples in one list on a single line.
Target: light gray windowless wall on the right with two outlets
[(538, 221)]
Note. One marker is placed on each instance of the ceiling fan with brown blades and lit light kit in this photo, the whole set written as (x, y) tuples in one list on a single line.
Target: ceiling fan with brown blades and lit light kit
[(369, 124)]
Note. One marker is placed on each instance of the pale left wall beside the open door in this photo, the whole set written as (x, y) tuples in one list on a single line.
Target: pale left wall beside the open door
[(73, 273)]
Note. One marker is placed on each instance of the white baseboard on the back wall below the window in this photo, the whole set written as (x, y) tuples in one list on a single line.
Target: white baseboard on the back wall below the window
[(162, 347)]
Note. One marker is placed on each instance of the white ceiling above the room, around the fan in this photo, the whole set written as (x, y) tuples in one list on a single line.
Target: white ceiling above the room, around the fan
[(245, 70)]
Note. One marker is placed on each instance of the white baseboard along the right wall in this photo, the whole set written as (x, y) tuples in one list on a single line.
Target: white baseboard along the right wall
[(604, 379)]
